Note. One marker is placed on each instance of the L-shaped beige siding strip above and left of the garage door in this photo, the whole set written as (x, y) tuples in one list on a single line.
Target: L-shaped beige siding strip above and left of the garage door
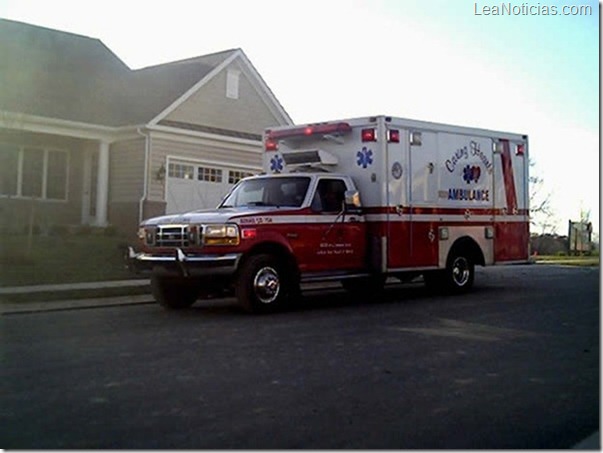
[(235, 156)]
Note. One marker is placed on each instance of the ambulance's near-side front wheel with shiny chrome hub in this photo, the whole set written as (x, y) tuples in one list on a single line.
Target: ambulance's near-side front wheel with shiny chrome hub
[(264, 285)]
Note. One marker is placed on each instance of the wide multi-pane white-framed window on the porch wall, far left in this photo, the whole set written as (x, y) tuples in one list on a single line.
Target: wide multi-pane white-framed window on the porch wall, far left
[(33, 172)]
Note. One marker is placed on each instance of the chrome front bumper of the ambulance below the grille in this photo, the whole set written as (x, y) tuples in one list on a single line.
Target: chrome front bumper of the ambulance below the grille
[(179, 263)]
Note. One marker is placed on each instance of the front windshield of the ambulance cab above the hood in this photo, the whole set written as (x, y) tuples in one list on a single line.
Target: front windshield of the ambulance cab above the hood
[(281, 191)]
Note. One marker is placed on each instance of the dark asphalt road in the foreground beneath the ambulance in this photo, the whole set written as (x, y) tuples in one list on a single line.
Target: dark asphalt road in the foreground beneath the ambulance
[(514, 364)]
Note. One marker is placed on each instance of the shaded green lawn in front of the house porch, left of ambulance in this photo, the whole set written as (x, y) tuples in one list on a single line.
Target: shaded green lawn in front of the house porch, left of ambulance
[(61, 259)]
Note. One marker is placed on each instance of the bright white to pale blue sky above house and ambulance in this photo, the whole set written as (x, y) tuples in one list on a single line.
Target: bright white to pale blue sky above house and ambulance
[(444, 61)]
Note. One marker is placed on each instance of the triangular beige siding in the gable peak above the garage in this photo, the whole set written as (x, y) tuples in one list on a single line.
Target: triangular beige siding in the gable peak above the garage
[(210, 106)]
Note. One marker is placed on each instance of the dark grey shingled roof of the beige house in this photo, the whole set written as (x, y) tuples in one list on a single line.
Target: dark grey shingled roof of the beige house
[(54, 74)]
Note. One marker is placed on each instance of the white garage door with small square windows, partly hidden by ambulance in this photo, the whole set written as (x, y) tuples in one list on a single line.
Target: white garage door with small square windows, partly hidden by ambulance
[(193, 186)]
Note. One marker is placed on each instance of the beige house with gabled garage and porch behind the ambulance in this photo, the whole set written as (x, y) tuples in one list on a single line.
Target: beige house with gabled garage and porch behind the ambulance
[(85, 140)]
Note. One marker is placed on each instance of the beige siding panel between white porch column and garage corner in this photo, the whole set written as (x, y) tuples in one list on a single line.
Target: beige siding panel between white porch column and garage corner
[(127, 170)]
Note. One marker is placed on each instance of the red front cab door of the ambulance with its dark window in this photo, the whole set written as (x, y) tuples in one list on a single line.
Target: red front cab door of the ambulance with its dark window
[(339, 239)]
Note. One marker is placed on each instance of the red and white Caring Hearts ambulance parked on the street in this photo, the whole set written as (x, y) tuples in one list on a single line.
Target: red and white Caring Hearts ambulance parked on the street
[(356, 201)]
